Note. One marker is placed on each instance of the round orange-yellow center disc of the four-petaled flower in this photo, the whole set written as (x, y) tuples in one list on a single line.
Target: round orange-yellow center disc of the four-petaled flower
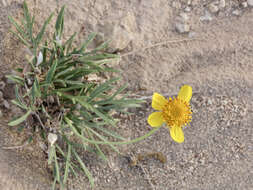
[(176, 112)]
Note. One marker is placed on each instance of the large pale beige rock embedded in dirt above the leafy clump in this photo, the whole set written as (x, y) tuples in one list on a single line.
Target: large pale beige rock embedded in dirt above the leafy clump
[(119, 33)]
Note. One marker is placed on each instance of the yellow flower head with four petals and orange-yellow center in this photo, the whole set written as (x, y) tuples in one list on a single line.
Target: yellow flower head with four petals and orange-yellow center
[(175, 112)]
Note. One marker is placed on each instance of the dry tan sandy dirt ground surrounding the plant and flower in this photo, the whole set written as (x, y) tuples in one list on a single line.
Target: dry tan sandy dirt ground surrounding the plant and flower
[(215, 59)]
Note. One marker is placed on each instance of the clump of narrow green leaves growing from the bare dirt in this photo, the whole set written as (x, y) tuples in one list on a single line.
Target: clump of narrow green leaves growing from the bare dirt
[(61, 103)]
